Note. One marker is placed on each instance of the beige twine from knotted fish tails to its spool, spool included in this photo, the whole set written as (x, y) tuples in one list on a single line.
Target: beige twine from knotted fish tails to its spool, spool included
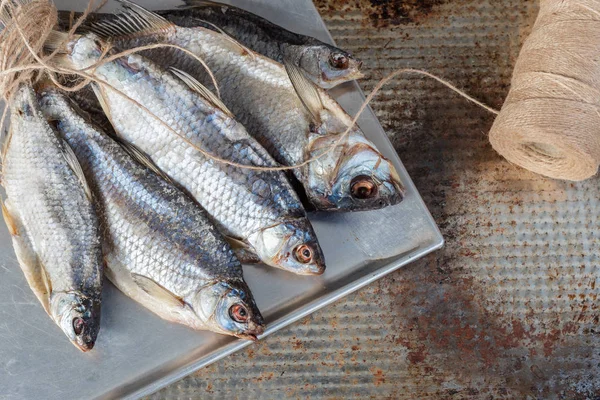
[(549, 124)]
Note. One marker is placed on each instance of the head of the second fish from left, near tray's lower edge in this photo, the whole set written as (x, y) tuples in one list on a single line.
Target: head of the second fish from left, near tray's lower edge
[(228, 307)]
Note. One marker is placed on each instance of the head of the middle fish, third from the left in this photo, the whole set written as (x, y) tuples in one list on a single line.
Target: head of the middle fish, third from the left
[(291, 246)]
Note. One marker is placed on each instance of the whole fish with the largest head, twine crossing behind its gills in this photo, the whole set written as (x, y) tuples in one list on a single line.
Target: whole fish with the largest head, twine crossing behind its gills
[(291, 124)]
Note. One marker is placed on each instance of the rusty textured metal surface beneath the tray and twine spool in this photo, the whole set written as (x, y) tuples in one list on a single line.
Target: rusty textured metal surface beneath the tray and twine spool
[(509, 308)]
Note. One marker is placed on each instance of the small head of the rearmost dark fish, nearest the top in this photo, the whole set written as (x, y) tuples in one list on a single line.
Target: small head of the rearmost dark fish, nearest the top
[(328, 66)]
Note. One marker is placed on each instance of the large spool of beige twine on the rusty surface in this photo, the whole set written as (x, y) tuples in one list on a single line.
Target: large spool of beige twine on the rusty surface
[(550, 121)]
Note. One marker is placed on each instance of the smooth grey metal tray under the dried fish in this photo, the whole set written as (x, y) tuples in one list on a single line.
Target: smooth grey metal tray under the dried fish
[(137, 353)]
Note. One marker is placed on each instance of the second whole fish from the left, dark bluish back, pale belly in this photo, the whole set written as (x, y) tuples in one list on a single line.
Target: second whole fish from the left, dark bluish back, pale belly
[(159, 245)]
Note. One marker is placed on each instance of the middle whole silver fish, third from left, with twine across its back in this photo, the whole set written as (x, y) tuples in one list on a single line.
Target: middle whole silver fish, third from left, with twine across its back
[(256, 208)]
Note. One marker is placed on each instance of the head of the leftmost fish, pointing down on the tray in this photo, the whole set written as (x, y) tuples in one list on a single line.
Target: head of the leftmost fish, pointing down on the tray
[(78, 316)]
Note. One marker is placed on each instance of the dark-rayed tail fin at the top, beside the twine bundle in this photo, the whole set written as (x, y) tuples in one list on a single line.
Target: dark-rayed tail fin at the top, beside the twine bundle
[(134, 20)]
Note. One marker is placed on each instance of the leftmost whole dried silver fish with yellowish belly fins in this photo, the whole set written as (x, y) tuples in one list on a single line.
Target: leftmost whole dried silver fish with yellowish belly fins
[(53, 224)]
